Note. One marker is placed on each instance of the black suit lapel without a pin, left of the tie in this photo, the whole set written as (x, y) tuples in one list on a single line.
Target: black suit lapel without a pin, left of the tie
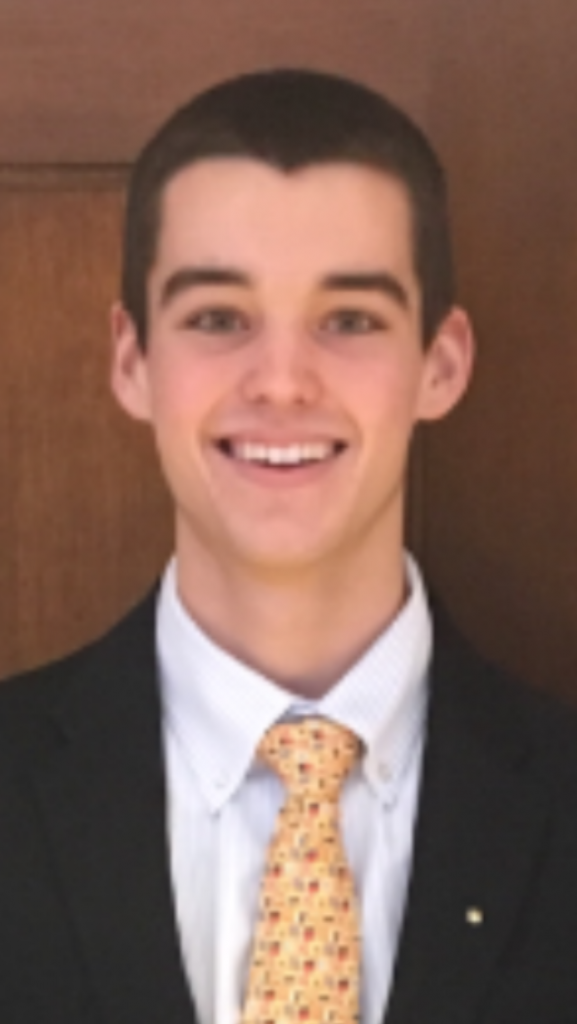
[(102, 797)]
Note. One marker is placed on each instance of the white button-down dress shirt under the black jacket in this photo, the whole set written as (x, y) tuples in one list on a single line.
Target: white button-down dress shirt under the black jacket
[(223, 804)]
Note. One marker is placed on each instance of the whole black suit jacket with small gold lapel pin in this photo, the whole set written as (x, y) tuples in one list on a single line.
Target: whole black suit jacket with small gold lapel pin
[(88, 932)]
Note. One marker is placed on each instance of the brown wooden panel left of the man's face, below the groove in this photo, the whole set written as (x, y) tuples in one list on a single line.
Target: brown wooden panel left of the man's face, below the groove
[(79, 486)]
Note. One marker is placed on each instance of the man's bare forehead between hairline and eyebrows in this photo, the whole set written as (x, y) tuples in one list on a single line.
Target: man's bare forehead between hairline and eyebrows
[(308, 223)]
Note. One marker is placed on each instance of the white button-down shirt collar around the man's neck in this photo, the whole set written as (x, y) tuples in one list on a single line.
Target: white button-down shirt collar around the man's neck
[(217, 709)]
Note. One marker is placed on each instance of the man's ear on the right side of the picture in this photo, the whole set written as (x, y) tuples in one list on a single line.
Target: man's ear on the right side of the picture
[(448, 366)]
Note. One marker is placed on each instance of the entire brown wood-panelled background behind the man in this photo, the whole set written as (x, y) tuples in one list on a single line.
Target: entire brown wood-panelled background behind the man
[(85, 524)]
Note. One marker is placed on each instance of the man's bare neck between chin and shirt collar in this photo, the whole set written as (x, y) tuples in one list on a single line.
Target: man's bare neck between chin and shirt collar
[(304, 633)]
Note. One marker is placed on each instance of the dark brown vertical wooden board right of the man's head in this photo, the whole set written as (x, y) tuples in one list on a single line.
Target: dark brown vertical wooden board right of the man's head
[(502, 478)]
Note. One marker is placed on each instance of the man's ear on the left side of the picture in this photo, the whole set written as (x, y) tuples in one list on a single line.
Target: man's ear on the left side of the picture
[(130, 378)]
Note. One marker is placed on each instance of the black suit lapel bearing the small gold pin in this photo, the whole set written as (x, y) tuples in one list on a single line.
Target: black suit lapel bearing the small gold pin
[(481, 830)]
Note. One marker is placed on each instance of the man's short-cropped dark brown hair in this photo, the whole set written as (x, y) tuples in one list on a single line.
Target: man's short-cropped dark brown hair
[(293, 119)]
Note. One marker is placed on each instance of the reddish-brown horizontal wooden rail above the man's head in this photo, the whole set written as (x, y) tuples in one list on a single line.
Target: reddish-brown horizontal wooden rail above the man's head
[(100, 77)]
